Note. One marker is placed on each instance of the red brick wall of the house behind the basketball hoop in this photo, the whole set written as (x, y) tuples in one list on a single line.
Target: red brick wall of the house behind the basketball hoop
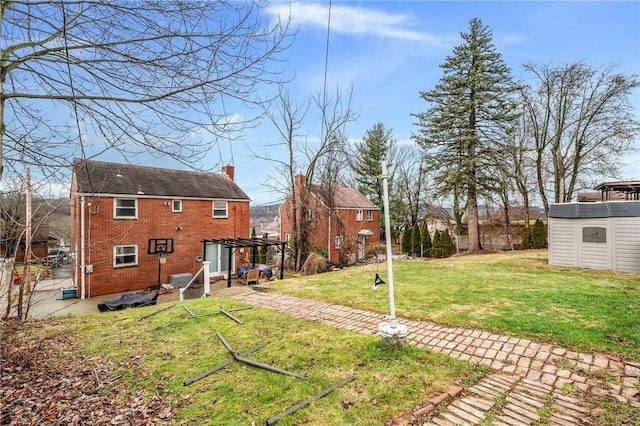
[(155, 220)]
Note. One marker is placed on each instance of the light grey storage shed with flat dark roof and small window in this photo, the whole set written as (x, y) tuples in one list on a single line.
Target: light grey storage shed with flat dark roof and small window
[(602, 235)]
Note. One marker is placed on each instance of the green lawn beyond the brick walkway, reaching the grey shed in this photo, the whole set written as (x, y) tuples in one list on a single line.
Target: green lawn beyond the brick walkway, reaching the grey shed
[(513, 292)]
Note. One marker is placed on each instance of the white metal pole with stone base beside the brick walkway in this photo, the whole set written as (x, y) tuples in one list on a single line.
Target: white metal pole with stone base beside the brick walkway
[(392, 333)]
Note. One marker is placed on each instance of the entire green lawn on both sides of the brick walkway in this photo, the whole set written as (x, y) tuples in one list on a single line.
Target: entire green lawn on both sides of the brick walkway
[(514, 293)]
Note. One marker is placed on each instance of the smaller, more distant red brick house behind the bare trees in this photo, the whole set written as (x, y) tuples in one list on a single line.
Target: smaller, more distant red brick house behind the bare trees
[(342, 222)]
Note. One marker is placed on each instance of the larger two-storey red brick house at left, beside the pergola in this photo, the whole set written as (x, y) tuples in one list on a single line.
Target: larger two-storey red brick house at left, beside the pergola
[(117, 208)]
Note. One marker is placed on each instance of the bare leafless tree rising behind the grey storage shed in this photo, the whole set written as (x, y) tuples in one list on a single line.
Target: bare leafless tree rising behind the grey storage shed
[(581, 123)]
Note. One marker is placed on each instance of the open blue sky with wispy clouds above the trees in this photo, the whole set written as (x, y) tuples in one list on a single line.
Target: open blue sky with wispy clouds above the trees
[(391, 50)]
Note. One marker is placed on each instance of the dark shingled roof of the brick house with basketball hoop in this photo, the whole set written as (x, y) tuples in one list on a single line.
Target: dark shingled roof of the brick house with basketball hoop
[(97, 177)]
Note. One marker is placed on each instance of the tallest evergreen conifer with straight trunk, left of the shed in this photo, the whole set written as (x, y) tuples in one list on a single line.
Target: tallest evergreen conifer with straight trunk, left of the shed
[(470, 108)]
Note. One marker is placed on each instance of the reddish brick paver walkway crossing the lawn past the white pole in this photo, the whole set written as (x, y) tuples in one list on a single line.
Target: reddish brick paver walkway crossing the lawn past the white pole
[(531, 382)]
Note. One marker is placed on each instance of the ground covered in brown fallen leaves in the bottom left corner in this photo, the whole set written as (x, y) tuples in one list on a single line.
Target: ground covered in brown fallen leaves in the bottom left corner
[(43, 383)]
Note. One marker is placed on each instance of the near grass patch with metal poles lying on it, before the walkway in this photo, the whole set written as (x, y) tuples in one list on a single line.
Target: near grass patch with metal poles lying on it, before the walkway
[(159, 353)]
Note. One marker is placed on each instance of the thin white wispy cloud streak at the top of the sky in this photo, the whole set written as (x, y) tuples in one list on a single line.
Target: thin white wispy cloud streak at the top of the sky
[(357, 21)]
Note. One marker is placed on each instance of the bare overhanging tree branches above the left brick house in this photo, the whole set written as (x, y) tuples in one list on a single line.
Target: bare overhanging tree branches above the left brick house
[(83, 77)]
